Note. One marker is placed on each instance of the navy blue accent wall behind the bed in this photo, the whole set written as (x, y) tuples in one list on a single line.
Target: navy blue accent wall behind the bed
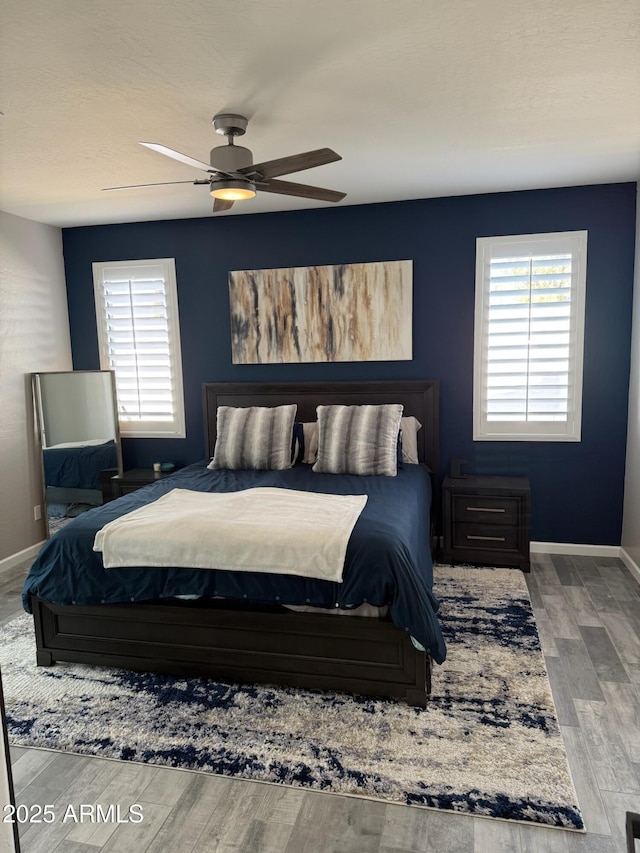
[(577, 488)]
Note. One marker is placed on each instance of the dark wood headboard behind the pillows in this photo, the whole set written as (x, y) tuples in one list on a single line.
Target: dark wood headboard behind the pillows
[(420, 398)]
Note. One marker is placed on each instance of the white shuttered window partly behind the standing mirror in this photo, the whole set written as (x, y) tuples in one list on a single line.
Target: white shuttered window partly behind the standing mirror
[(139, 338)]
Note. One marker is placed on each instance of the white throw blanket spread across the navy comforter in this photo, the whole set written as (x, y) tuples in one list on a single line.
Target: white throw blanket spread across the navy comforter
[(278, 531)]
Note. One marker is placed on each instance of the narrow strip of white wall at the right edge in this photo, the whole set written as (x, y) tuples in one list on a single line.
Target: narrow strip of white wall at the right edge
[(631, 519)]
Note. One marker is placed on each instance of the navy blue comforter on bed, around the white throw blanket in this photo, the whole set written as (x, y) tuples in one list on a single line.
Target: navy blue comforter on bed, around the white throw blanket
[(388, 560)]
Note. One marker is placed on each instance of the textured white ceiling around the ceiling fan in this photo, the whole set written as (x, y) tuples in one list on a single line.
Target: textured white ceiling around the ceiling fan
[(421, 98)]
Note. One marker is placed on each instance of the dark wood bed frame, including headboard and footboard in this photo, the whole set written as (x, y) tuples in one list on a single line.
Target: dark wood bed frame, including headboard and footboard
[(229, 642)]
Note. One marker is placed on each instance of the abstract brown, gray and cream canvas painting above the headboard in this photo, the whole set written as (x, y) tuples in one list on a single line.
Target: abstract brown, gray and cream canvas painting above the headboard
[(346, 312)]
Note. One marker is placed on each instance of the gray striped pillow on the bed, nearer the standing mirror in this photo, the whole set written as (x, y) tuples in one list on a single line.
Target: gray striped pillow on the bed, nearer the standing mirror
[(254, 438)]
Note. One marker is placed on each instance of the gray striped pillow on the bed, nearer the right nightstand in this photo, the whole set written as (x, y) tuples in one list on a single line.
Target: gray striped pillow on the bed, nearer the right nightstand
[(358, 439)]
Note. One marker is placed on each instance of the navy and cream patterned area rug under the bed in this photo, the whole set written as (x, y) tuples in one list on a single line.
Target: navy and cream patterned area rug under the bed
[(487, 744)]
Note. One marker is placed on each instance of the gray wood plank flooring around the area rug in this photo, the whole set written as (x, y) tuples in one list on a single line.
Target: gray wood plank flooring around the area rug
[(588, 613)]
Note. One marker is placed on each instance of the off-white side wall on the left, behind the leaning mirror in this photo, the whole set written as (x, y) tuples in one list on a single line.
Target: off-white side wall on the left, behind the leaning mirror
[(34, 336)]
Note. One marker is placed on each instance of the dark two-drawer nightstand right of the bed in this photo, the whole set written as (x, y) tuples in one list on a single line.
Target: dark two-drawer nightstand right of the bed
[(486, 520)]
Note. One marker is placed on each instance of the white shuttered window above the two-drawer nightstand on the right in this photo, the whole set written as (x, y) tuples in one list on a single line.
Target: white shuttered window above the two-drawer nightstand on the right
[(529, 331)]
